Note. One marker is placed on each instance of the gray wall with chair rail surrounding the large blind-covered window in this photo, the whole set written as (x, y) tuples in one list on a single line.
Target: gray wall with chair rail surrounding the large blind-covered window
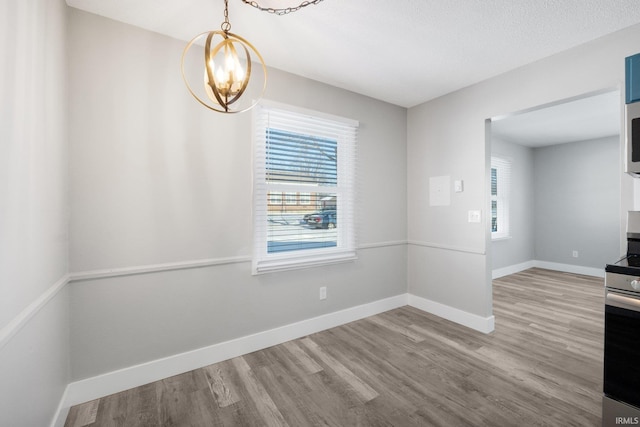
[(156, 179)]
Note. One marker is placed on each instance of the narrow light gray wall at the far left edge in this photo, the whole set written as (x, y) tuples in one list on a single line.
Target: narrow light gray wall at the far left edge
[(34, 359)]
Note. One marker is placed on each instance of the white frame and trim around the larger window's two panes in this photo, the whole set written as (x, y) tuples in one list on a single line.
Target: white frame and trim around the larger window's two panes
[(264, 115)]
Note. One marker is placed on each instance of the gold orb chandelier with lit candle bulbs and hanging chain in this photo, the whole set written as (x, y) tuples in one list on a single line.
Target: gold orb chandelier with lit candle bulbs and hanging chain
[(226, 83)]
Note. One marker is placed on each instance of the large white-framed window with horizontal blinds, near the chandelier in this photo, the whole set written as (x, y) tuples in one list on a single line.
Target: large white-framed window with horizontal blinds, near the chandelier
[(309, 158)]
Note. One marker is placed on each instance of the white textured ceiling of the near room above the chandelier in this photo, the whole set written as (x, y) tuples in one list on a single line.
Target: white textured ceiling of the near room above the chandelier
[(403, 52)]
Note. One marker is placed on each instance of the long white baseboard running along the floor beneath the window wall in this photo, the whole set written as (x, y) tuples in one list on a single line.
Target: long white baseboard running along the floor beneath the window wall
[(123, 379)]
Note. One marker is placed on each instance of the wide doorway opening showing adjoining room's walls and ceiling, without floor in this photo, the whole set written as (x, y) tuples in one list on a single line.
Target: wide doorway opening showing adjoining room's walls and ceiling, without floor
[(567, 194)]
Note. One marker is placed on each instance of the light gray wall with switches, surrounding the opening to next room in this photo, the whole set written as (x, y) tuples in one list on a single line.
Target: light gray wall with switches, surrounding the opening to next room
[(448, 259)]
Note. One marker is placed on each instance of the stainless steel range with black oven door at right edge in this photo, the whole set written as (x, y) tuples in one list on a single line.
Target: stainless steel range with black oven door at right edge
[(621, 403)]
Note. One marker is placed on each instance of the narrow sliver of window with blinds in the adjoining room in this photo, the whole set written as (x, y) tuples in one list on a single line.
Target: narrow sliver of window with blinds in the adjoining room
[(500, 183)]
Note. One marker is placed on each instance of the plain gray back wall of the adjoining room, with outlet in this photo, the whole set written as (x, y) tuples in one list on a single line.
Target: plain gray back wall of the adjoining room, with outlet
[(577, 202)]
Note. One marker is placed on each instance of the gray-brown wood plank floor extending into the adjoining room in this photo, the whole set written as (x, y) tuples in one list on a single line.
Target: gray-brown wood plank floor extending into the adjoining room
[(542, 366)]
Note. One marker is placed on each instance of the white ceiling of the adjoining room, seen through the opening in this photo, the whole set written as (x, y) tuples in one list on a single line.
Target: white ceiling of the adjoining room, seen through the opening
[(591, 117)]
